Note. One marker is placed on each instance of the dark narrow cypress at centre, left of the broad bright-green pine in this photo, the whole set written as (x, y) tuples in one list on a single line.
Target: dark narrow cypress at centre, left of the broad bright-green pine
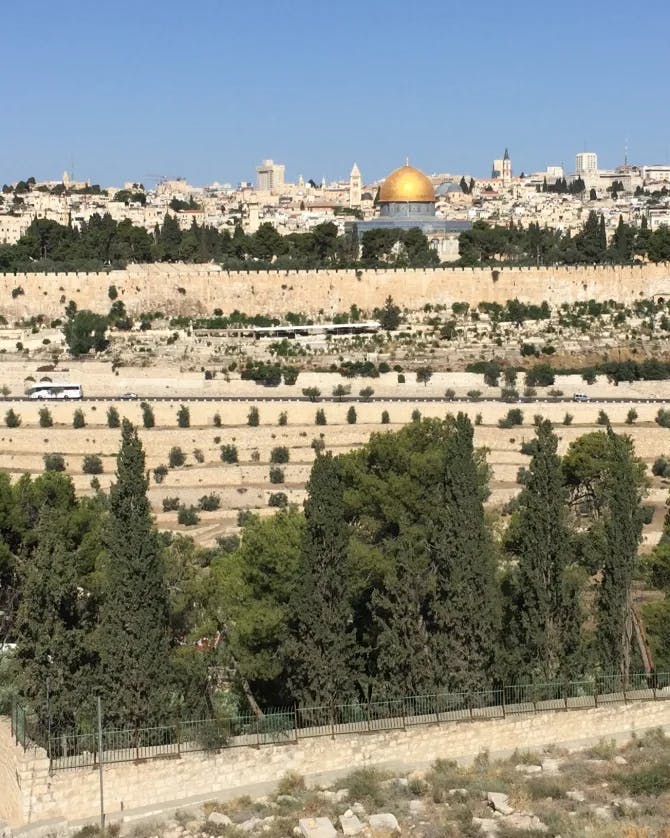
[(322, 650)]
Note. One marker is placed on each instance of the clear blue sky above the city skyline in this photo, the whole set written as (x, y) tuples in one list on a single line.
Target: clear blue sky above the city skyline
[(205, 89)]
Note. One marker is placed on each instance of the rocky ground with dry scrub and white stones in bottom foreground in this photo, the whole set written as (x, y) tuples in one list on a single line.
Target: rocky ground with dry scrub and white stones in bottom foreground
[(603, 792)]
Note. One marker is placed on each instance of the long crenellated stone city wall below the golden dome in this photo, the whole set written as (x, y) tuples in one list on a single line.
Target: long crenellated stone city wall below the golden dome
[(199, 289)]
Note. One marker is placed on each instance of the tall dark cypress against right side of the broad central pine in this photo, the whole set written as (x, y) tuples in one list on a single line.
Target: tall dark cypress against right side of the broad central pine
[(465, 609)]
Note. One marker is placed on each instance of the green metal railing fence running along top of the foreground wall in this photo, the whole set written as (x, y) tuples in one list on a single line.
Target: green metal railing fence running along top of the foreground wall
[(283, 726)]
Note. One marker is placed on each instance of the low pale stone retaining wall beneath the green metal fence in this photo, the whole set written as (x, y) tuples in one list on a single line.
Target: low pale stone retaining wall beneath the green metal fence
[(74, 793)]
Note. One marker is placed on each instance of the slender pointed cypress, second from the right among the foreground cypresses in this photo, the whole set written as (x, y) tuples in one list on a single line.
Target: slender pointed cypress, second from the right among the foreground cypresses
[(540, 538)]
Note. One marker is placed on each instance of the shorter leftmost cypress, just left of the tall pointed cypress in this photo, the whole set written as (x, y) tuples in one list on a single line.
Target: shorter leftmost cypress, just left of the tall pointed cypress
[(52, 647)]
